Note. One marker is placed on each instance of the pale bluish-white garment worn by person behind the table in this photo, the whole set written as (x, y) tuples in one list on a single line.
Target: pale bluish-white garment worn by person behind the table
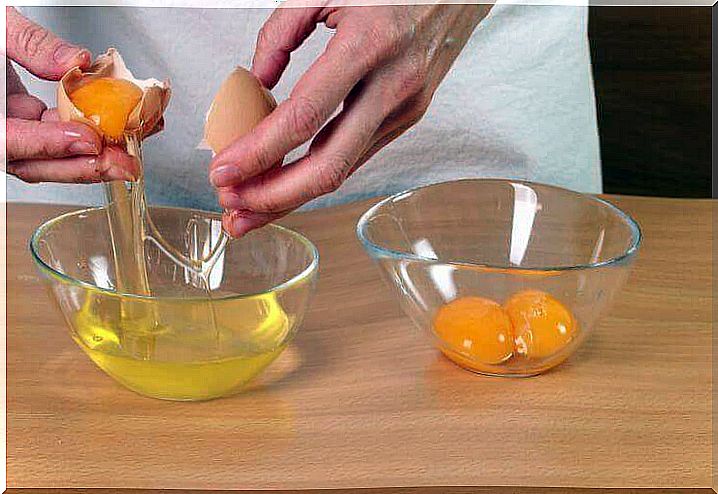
[(518, 102)]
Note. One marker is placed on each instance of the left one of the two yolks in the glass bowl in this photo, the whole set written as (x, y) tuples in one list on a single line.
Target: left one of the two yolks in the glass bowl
[(477, 329)]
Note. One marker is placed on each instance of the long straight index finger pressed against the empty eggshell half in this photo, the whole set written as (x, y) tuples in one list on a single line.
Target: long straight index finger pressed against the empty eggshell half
[(313, 100)]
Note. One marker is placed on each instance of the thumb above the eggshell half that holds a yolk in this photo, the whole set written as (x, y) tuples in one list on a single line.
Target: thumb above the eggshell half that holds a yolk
[(40, 51)]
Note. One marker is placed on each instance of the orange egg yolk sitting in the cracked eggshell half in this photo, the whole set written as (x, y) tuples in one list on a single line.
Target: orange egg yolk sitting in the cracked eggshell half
[(107, 102)]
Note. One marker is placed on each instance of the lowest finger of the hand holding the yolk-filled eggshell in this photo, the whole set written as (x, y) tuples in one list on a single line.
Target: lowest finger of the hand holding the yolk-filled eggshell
[(112, 164)]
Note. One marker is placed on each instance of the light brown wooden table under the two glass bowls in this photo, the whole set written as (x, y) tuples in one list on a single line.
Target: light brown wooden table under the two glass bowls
[(361, 400)]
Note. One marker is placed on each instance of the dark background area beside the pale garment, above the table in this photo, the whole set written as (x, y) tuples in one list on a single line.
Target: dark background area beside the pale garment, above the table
[(652, 71)]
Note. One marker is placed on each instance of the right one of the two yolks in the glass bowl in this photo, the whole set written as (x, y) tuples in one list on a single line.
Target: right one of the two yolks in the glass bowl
[(542, 325)]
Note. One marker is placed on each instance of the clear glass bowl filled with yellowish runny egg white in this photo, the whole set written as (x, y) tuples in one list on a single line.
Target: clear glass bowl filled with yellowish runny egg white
[(195, 337)]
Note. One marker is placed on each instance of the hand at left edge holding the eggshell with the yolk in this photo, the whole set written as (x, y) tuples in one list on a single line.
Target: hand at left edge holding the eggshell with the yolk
[(40, 148)]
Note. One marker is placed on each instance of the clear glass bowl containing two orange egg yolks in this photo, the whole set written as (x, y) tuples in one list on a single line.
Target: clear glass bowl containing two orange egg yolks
[(507, 278)]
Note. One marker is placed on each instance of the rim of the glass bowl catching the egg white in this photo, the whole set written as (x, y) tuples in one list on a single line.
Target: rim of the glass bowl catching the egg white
[(64, 278)]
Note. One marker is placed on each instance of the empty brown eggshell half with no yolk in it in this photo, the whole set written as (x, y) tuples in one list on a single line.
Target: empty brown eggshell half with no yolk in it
[(239, 105)]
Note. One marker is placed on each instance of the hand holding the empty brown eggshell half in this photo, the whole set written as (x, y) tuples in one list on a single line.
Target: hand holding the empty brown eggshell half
[(383, 66)]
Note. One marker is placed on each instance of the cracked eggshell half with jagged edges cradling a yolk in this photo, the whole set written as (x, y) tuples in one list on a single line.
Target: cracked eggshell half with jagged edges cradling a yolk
[(145, 119)]
